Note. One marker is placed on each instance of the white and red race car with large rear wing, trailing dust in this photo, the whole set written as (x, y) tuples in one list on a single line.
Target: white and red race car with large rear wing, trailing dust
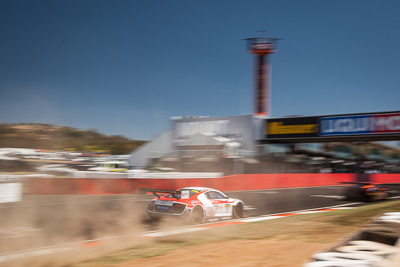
[(194, 204)]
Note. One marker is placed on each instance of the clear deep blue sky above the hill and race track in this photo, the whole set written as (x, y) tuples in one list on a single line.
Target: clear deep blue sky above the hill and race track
[(126, 67)]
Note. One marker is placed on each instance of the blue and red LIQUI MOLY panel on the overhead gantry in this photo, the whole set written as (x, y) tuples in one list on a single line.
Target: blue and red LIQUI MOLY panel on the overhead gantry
[(360, 125)]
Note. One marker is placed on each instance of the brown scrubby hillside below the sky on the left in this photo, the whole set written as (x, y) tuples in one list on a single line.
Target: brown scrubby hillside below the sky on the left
[(51, 137)]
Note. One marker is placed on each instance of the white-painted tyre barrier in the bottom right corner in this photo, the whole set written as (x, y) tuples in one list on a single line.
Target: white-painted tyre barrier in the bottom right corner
[(376, 245)]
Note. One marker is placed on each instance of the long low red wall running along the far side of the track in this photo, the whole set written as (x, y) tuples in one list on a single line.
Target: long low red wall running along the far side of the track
[(97, 186)]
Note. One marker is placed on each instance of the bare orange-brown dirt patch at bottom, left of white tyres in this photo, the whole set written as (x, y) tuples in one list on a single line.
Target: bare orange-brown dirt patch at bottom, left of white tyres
[(235, 253)]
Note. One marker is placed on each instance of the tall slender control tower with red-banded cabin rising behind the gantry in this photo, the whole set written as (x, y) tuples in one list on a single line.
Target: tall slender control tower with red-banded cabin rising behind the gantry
[(262, 48)]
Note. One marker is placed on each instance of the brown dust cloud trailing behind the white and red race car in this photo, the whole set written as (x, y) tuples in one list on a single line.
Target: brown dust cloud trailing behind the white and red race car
[(74, 227)]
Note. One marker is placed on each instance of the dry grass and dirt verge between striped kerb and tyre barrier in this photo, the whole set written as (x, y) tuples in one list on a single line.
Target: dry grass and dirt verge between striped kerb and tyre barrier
[(282, 242)]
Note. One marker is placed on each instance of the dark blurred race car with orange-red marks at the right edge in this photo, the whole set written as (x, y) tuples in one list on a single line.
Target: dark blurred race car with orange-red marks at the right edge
[(365, 191)]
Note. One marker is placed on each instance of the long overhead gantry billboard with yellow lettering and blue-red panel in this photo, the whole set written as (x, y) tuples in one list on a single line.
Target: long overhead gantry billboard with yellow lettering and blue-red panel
[(366, 126)]
